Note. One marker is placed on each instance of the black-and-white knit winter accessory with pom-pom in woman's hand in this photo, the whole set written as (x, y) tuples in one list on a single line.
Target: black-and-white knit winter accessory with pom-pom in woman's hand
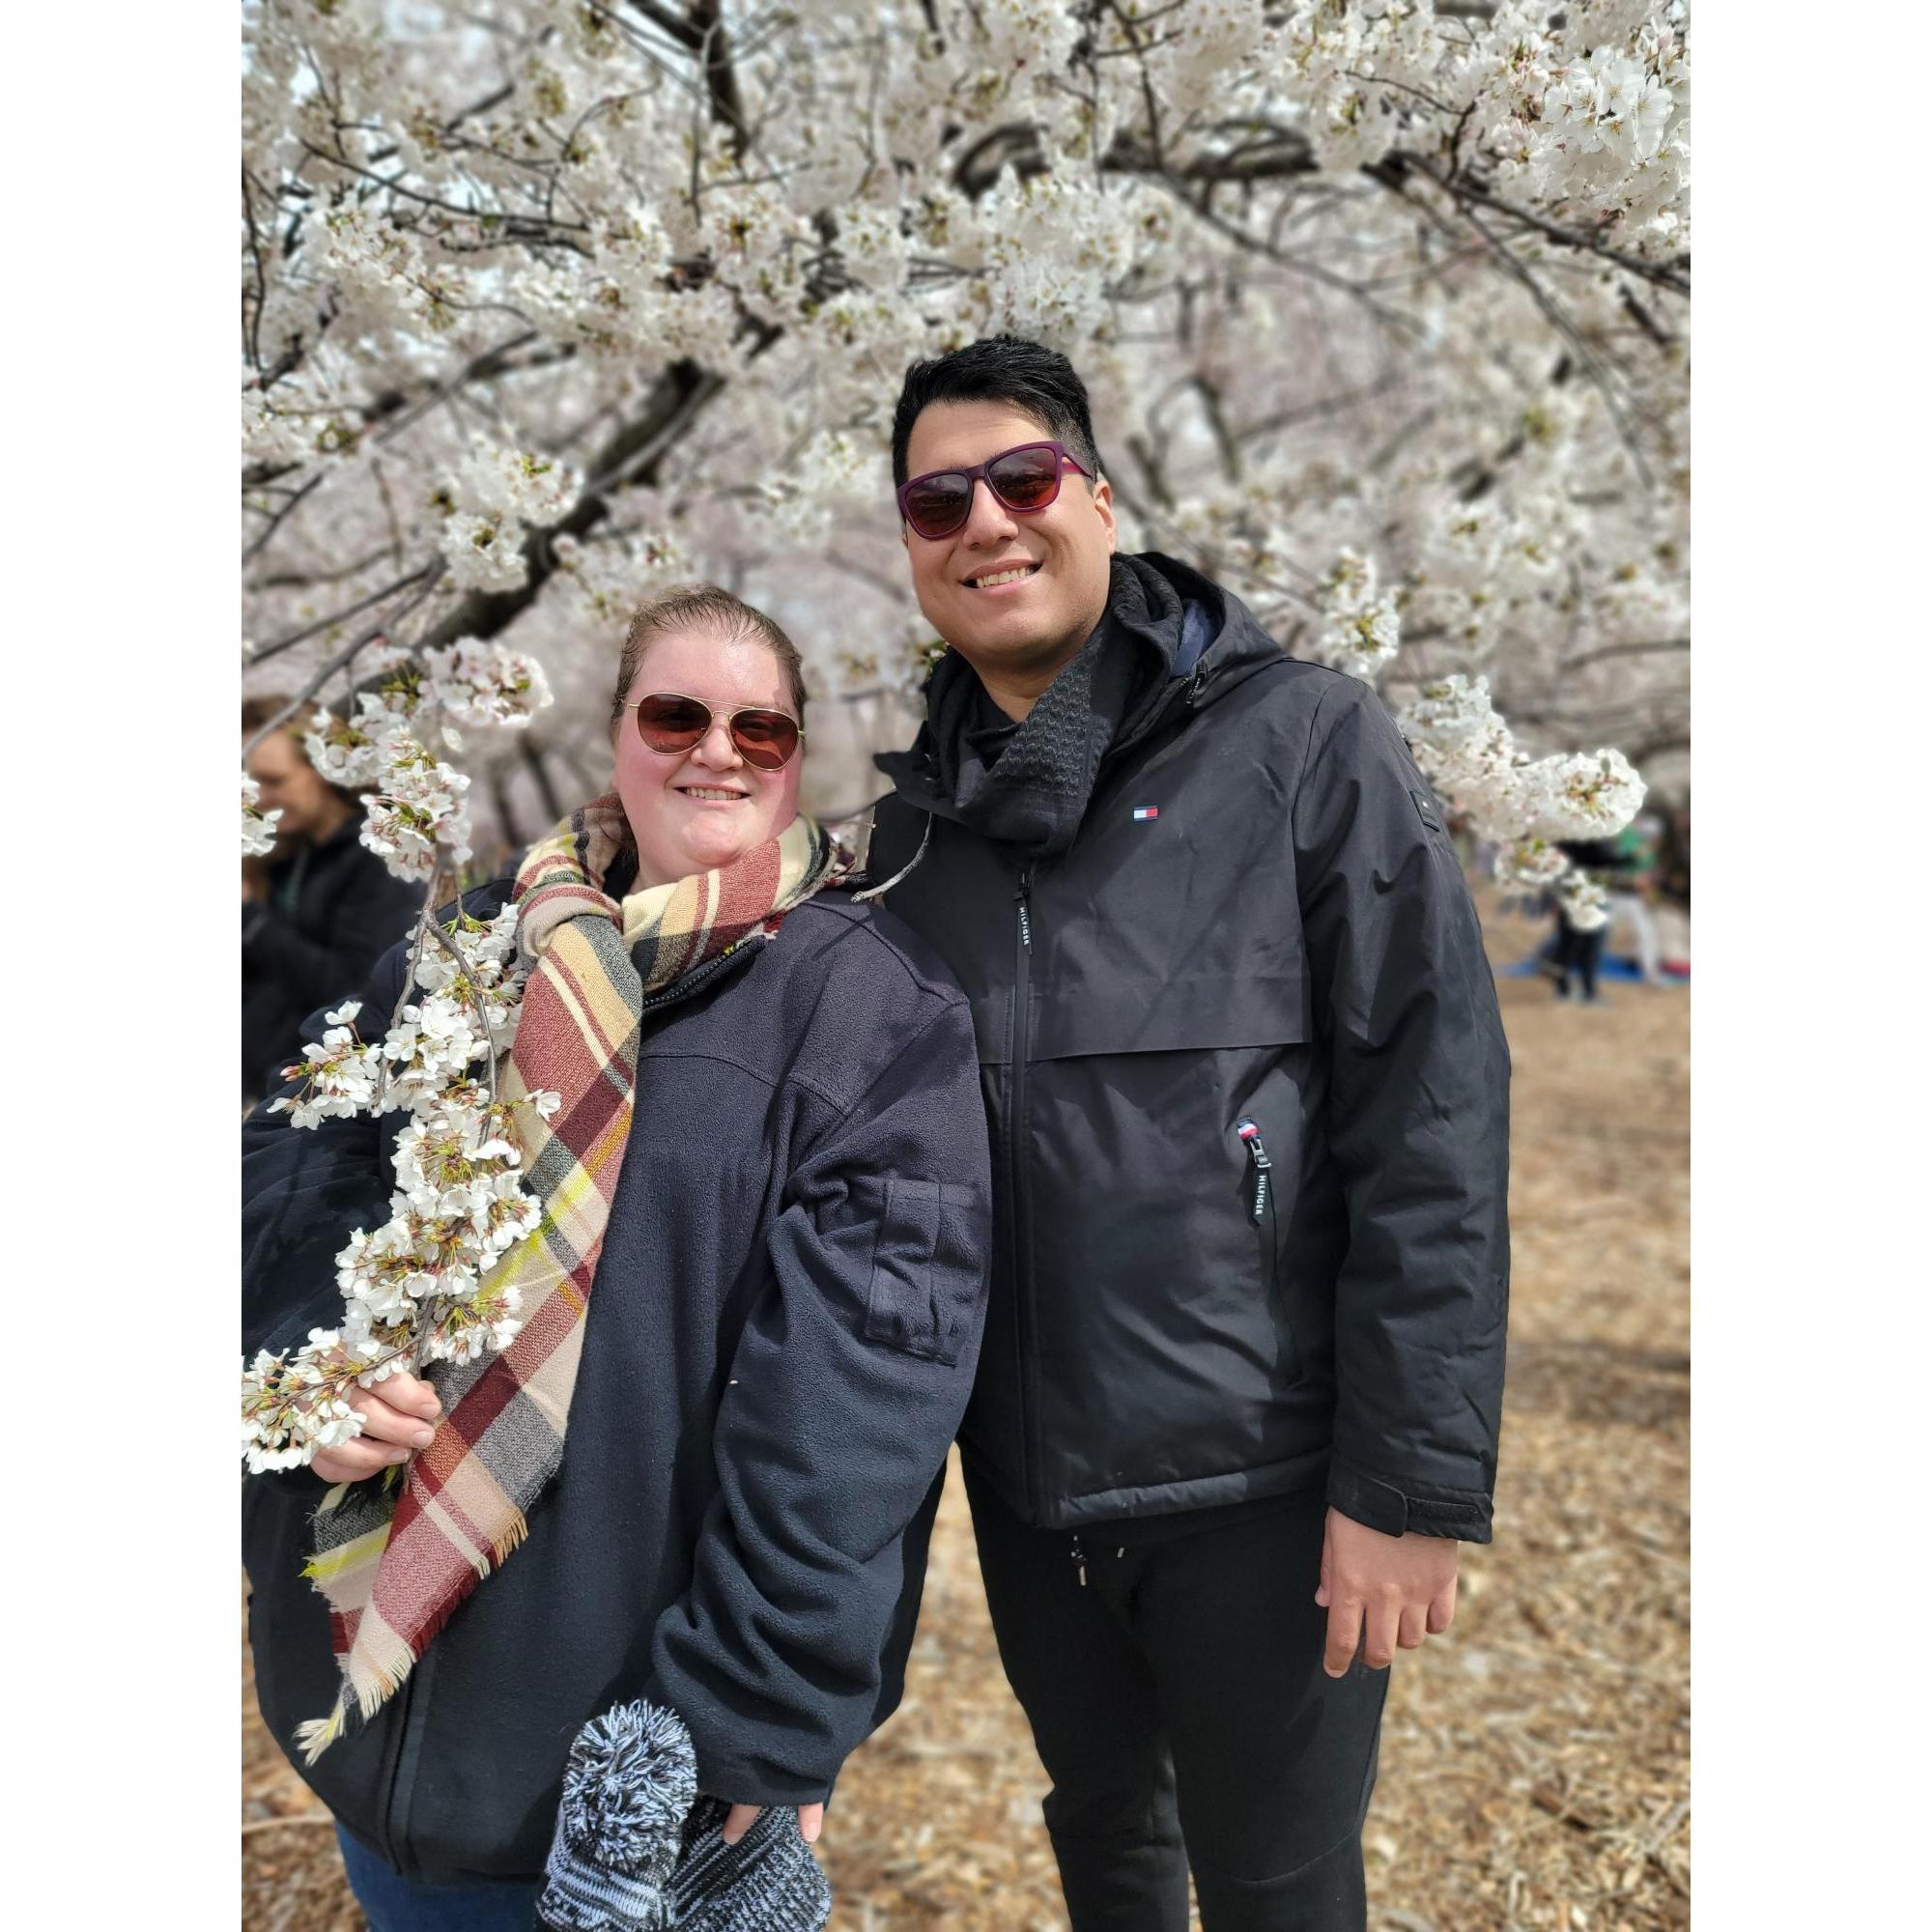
[(637, 1850)]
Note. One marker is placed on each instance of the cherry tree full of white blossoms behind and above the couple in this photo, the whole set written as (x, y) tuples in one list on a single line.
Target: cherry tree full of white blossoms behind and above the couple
[(550, 304)]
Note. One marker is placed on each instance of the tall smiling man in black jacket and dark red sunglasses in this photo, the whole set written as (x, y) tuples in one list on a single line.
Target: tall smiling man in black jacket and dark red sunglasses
[(1247, 1083)]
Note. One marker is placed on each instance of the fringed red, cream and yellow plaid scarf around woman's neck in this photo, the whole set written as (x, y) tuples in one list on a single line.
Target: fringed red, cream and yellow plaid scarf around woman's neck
[(395, 1560)]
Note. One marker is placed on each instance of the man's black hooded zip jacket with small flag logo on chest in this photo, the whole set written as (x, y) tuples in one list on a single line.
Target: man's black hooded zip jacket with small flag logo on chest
[(1263, 921)]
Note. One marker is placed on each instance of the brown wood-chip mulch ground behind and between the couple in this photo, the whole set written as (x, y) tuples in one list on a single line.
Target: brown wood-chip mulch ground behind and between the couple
[(1535, 1763)]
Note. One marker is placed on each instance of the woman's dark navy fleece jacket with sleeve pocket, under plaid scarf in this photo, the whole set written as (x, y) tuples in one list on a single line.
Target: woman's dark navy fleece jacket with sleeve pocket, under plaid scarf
[(781, 1340)]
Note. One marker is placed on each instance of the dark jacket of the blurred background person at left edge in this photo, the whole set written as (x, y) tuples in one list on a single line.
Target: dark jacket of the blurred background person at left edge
[(333, 909)]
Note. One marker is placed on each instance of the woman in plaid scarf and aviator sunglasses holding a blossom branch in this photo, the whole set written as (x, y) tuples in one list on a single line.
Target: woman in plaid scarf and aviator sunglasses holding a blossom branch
[(778, 1338)]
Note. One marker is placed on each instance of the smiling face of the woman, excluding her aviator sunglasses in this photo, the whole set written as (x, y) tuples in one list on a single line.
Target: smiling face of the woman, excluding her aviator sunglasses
[(702, 809)]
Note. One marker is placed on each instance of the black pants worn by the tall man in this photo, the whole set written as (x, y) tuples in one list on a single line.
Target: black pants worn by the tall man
[(1179, 1707)]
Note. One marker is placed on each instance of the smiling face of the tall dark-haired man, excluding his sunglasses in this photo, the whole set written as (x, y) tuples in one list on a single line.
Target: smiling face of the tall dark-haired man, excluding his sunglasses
[(1040, 619)]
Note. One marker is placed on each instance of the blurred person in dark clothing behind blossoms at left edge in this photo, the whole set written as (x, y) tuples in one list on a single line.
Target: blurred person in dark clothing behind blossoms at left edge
[(316, 913)]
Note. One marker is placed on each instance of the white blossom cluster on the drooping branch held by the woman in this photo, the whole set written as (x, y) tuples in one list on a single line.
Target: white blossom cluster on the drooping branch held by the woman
[(426, 1286)]
